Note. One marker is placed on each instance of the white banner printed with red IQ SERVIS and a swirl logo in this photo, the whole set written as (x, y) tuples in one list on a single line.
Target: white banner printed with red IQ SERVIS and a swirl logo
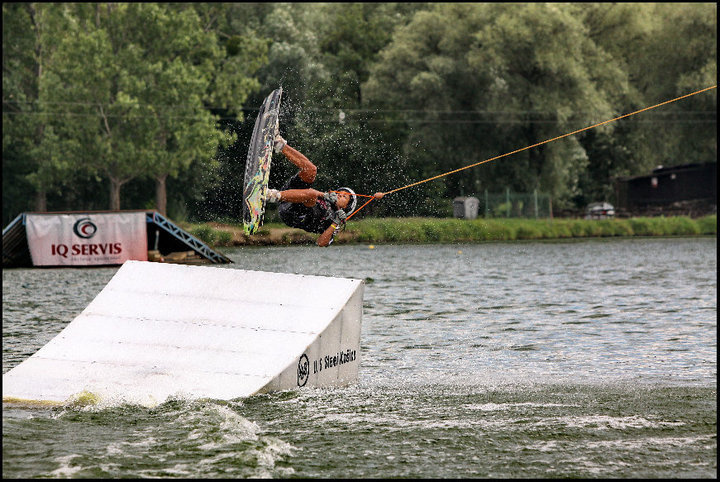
[(86, 239)]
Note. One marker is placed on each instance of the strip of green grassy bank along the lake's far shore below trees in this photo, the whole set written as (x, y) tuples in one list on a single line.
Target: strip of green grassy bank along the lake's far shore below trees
[(442, 230)]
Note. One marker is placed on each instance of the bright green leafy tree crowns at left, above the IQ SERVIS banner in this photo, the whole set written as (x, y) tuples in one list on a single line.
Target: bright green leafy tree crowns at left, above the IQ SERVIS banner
[(119, 91)]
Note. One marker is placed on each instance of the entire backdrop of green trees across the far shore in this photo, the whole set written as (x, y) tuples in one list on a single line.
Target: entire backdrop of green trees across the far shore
[(136, 96)]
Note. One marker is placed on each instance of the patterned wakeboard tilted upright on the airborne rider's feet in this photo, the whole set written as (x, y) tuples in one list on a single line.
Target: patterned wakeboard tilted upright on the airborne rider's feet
[(257, 164)]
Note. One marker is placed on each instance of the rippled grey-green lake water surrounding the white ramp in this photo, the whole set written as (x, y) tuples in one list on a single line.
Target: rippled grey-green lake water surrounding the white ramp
[(567, 359)]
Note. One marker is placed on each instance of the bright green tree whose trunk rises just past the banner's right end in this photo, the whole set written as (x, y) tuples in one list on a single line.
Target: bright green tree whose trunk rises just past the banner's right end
[(180, 58)]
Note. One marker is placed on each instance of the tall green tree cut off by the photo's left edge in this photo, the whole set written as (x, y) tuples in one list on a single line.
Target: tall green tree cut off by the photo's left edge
[(30, 130)]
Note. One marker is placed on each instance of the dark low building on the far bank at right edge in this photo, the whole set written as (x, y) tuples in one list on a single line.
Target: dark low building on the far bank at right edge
[(690, 186)]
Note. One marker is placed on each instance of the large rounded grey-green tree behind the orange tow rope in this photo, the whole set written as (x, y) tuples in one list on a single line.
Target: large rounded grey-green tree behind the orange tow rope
[(493, 78)]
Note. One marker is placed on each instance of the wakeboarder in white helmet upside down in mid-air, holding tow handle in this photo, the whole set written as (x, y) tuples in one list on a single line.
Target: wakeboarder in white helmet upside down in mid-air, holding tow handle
[(301, 206)]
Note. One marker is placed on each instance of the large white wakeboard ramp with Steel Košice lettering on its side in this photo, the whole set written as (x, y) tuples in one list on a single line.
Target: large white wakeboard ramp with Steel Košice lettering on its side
[(159, 330)]
